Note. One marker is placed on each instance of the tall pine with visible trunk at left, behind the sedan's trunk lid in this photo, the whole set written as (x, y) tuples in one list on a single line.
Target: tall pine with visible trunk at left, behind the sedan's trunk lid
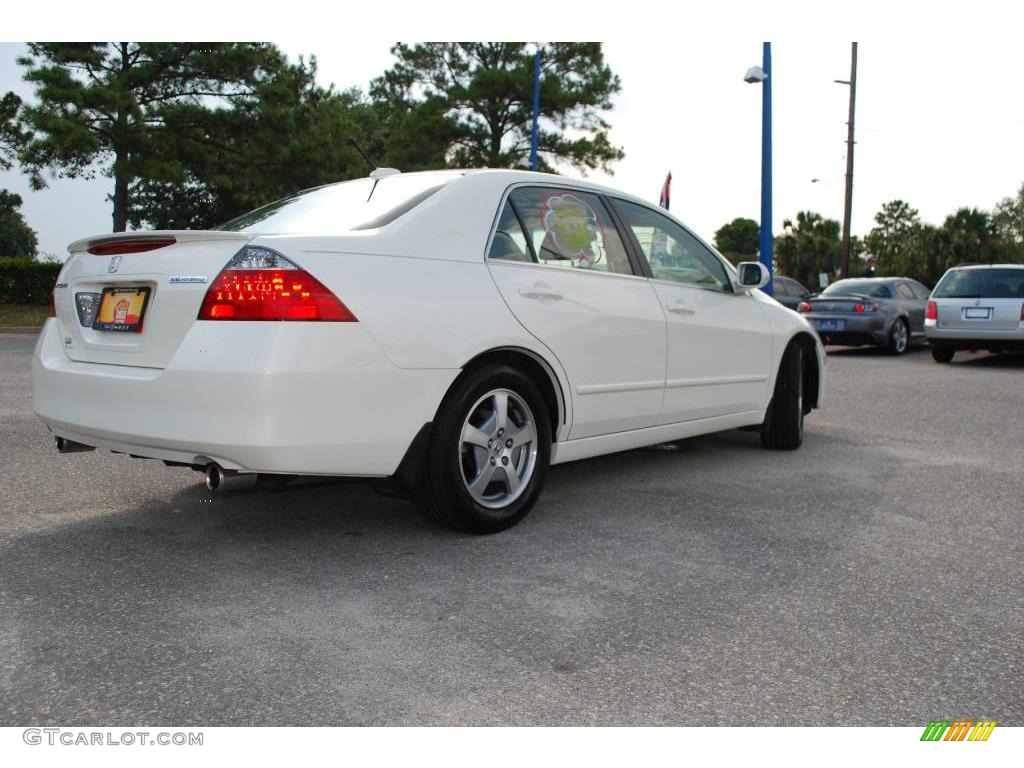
[(104, 104)]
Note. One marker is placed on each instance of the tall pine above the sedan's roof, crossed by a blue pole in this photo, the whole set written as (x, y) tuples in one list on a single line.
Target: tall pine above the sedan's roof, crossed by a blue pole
[(484, 93)]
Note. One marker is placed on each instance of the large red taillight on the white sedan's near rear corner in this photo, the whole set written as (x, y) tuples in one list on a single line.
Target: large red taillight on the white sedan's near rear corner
[(262, 285)]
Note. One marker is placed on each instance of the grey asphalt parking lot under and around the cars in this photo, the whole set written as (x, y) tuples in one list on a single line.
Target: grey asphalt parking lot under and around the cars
[(874, 578)]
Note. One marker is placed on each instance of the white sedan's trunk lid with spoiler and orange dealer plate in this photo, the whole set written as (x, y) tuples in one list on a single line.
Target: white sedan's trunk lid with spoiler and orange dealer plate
[(134, 308)]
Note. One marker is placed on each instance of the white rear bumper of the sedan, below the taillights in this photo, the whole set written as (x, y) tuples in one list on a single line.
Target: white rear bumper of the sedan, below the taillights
[(284, 398)]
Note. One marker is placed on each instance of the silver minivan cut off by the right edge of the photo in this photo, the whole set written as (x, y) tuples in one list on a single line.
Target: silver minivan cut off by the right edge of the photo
[(977, 308)]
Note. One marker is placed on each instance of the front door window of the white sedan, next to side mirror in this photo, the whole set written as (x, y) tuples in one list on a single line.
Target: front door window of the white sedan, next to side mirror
[(673, 253)]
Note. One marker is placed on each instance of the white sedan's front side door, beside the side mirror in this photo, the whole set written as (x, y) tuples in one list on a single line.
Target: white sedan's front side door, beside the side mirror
[(720, 344)]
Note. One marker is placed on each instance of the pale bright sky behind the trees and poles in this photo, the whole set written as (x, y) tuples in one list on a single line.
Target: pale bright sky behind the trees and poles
[(938, 125)]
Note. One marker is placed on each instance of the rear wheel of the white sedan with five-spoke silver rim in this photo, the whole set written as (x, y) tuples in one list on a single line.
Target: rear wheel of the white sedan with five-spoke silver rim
[(489, 453)]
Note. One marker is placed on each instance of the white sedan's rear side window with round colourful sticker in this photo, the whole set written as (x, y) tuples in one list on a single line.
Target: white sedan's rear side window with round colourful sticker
[(564, 228)]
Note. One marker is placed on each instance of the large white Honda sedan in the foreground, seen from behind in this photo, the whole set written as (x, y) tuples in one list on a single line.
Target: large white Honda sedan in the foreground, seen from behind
[(452, 332)]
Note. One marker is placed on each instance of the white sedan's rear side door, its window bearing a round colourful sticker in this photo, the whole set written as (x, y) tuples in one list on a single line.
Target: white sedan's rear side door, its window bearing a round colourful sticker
[(565, 273)]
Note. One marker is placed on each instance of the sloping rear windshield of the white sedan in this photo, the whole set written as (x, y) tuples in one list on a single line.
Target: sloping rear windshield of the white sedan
[(350, 206)]
